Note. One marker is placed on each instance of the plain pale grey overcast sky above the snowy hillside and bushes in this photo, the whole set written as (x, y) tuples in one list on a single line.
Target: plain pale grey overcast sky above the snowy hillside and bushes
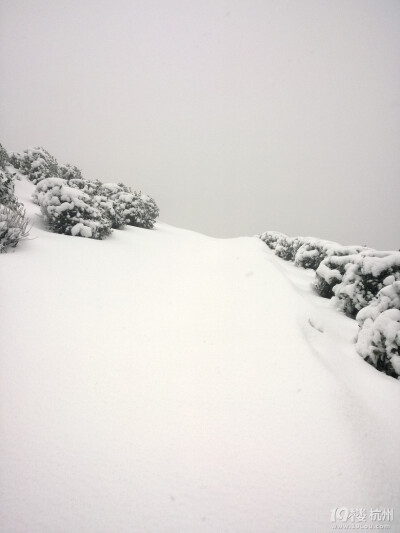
[(236, 116)]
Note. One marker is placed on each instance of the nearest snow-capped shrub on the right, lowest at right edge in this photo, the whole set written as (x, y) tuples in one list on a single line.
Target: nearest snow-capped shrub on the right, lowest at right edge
[(378, 340)]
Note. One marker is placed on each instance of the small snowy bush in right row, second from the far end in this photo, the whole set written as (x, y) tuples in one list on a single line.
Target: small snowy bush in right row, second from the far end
[(313, 251)]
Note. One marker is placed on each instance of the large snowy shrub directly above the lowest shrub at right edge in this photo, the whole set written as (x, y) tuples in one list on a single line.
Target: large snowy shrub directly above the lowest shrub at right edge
[(364, 276)]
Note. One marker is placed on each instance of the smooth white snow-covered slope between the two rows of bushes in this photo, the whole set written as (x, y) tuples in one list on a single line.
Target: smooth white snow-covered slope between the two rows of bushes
[(166, 382)]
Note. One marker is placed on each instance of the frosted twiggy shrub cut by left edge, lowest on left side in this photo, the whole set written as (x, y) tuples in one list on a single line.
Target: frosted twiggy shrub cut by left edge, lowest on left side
[(13, 227)]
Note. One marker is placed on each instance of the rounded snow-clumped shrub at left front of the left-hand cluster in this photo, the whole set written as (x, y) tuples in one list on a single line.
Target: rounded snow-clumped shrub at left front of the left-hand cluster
[(70, 211)]
